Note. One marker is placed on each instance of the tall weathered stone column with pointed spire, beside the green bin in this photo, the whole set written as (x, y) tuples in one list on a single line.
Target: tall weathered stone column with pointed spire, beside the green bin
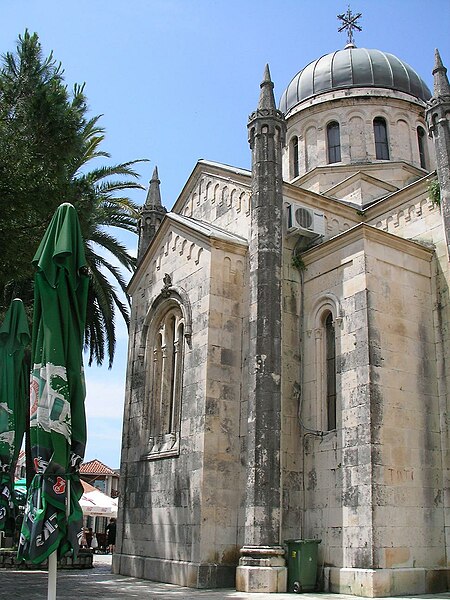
[(262, 567)]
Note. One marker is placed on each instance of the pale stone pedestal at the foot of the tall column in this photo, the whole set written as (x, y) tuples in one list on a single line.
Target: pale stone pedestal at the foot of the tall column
[(261, 569)]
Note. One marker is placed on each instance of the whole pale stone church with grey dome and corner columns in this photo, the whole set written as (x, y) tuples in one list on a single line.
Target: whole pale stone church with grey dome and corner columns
[(289, 353)]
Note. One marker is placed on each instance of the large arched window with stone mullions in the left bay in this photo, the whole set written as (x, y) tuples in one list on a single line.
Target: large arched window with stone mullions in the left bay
[(165, 344)]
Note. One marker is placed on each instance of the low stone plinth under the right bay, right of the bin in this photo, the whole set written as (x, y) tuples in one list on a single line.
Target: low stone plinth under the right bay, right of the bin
[(376, 583)]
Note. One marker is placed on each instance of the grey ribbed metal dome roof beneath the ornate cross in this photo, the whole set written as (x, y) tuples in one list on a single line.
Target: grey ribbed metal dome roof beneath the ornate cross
[(351, 68)]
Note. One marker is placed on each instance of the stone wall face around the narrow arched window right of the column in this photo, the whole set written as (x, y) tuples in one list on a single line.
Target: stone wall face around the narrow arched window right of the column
[(334, 500)]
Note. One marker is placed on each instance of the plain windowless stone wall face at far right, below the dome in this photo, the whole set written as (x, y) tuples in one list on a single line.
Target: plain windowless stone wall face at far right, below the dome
[(408, 496)]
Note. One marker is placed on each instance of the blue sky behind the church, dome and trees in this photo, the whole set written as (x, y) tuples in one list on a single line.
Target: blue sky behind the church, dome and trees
[(175, 81)]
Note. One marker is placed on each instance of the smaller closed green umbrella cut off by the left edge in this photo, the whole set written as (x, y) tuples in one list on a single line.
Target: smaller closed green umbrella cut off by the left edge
[(14, 336)]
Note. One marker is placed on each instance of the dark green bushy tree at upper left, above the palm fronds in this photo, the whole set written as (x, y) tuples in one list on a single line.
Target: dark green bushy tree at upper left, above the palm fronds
[(39, 137)]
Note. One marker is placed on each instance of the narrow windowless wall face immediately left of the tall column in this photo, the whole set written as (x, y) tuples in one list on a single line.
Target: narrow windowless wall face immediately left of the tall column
[(223, 486)]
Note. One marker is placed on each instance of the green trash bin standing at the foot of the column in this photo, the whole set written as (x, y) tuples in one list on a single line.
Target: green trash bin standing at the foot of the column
[(302, 565)]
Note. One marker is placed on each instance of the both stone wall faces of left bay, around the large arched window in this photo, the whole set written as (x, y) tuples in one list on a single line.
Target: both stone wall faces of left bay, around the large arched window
[(180, 520)]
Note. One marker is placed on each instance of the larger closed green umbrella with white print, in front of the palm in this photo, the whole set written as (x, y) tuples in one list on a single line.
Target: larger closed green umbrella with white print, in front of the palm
[(53, 517)]
